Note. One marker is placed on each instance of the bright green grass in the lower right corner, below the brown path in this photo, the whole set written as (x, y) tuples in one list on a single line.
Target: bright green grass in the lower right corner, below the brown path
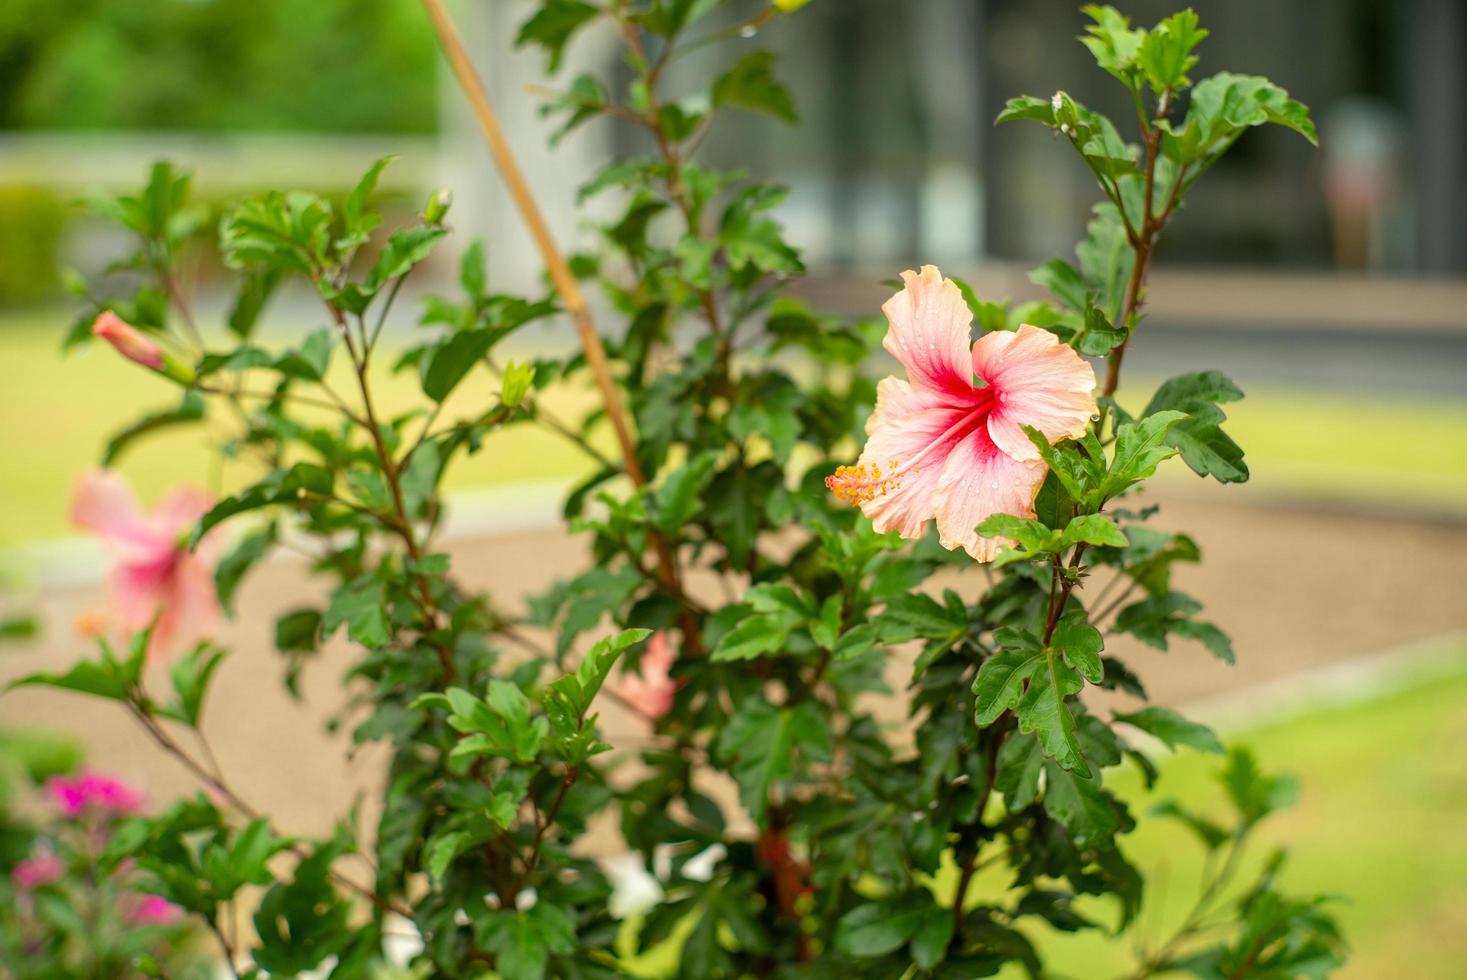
[(1378, 825)]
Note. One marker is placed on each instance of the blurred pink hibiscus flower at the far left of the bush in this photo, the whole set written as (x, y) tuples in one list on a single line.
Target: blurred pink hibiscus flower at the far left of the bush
[(155, 574)]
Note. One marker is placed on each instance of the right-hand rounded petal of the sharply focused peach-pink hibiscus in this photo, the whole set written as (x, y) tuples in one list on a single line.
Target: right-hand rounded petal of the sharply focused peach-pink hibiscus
[(1036, 382)]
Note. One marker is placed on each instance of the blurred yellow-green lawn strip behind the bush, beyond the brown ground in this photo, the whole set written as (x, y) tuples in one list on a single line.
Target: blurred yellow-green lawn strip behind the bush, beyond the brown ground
[(58, 414)]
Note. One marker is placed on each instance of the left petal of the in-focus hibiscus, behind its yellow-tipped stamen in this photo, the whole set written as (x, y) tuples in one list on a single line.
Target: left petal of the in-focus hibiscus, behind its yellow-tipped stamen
[(907, 445)]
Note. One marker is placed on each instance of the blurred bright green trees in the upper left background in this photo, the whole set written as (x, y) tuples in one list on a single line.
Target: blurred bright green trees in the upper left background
[(216, 65)]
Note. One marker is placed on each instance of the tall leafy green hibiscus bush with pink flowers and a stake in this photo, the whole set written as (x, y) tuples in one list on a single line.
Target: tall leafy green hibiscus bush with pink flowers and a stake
[(844, 718)]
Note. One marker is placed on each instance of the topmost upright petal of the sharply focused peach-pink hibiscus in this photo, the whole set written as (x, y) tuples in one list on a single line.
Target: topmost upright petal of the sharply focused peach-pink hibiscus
[(929, 332)]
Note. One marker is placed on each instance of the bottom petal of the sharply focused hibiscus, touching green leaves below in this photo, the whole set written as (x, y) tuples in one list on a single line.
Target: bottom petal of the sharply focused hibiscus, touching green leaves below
[(978, 482)]
